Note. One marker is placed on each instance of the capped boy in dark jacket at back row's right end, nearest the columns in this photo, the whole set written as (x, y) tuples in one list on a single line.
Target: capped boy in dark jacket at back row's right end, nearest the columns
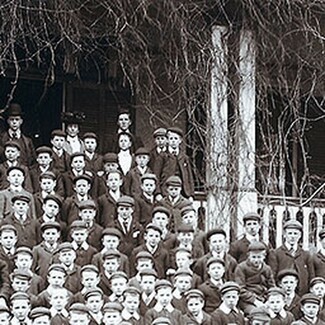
[(175, 162)]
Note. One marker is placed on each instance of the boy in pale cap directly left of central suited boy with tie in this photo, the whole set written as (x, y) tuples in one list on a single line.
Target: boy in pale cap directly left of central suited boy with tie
[(87, 213)]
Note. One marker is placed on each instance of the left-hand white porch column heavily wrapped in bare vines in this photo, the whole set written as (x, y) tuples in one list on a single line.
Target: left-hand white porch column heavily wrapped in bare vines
[(218, 198)]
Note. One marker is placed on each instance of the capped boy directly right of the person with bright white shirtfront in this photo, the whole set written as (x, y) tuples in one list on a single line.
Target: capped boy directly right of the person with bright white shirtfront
[(132, 184)]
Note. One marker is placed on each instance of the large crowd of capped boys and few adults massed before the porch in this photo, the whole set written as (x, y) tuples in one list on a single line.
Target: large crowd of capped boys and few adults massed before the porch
[(114, 239)]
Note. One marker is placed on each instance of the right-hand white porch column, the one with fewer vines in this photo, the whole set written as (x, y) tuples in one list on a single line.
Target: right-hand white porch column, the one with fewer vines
[(247, 197)]
